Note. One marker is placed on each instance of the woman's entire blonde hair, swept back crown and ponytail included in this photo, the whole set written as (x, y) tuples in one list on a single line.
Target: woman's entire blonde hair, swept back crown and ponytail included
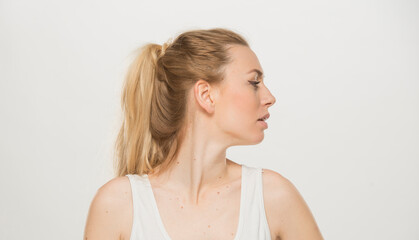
[(154, 96)]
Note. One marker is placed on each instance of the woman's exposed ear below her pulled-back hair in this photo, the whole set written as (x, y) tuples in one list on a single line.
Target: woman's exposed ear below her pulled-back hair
[(205, 95)]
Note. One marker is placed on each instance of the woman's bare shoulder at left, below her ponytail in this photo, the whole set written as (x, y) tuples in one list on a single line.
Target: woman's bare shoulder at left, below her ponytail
[(110, 212)]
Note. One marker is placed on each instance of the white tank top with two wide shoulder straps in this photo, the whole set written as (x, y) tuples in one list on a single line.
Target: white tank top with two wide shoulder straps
[(147, 224)]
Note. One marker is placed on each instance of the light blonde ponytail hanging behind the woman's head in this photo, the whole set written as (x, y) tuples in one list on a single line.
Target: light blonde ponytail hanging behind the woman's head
[(134, 138)]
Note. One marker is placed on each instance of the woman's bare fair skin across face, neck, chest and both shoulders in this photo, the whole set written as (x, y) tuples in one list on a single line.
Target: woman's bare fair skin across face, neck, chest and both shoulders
[(199, 196)]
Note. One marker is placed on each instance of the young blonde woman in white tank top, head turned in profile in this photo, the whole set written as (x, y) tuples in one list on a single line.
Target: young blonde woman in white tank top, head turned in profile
[(184, 104)]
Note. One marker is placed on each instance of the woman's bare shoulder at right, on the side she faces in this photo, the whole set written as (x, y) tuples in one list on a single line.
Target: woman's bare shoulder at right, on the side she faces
[(288, 215)]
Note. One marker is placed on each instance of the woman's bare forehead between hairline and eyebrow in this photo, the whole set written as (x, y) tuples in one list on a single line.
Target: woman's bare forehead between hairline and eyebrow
[(244, 60)]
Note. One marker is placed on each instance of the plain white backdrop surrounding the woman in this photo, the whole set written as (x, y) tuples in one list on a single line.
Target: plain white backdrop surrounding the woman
[(344, 129)]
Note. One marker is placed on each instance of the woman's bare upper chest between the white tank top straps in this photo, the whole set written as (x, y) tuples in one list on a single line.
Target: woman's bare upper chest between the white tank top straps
[(216, 217)]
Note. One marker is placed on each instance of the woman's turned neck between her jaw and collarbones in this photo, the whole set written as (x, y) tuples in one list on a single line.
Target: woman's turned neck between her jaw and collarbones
[(199, 166)]
